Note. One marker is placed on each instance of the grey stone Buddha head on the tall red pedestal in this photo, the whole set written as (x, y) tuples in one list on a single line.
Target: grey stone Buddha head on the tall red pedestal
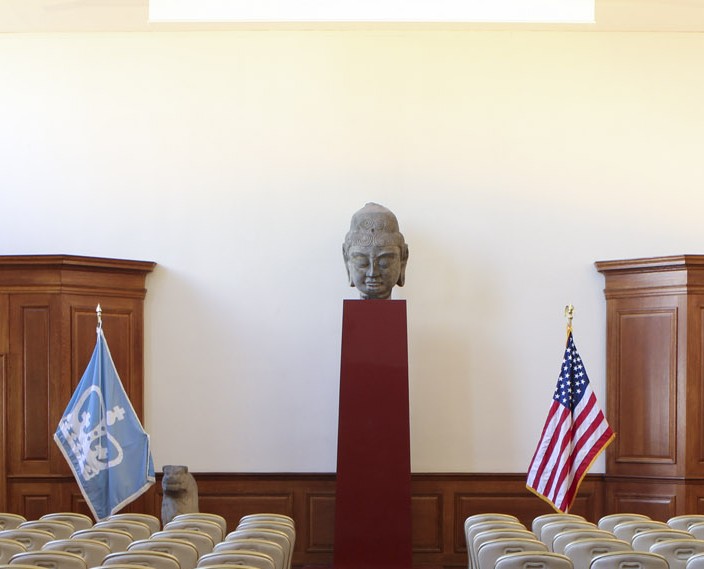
[(375, 252)]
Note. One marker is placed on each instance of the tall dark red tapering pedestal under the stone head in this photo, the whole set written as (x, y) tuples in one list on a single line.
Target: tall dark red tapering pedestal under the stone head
[(373, 491)]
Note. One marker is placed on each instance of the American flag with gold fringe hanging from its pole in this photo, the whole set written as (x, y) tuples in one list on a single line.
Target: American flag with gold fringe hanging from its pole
[(574, 434)]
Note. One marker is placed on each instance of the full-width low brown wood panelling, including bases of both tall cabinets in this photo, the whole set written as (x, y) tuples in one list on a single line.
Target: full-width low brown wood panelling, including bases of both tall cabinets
[(440, 504)]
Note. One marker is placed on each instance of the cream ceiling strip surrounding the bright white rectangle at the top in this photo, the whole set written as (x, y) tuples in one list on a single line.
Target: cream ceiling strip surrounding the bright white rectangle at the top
[(40, 16)]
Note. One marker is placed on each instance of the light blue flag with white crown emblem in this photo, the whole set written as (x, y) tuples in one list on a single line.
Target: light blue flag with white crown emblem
[(103, 440)]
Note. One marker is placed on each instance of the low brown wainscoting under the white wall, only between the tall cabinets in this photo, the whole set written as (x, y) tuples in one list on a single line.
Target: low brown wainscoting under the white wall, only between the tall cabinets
[(440, 504)]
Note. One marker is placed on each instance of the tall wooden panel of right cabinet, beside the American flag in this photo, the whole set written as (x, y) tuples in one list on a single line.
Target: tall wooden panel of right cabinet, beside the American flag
[(642, 391)]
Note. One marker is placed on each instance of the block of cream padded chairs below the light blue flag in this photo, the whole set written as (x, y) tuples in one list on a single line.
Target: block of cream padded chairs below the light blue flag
[(260, 541)]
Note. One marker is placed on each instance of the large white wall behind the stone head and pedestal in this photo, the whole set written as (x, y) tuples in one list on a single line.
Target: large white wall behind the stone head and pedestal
[(513, 161)]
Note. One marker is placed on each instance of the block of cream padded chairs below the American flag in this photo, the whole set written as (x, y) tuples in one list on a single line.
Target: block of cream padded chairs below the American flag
[(491, 537)]
